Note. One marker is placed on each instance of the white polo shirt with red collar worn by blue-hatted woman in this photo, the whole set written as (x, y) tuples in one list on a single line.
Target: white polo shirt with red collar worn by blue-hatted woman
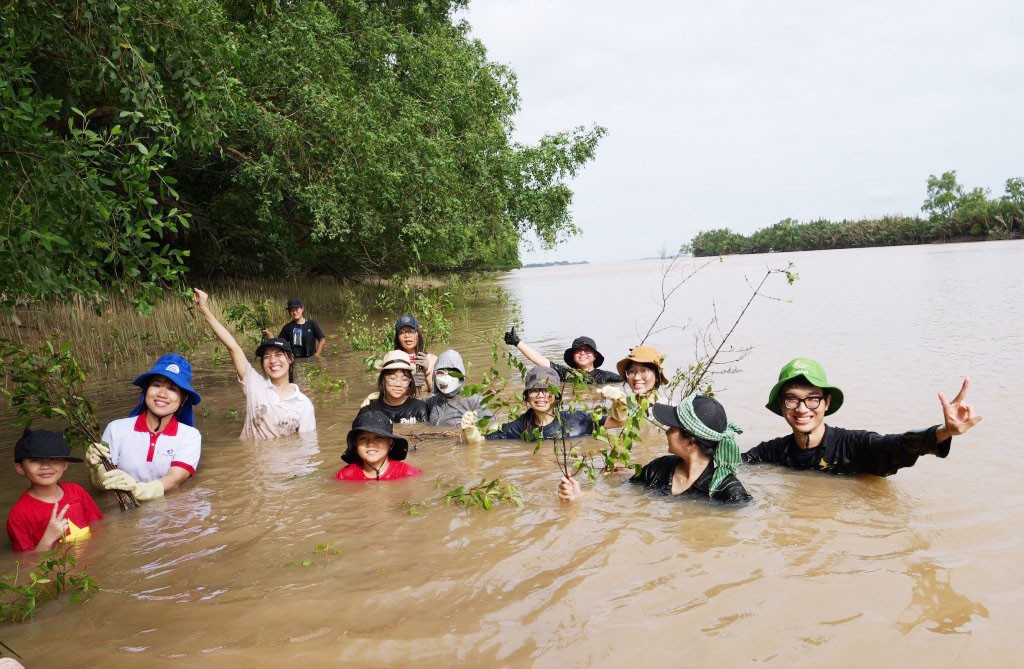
[(149, 456)]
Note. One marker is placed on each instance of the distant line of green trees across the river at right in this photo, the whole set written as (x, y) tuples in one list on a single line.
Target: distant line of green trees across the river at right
[(954, 215)]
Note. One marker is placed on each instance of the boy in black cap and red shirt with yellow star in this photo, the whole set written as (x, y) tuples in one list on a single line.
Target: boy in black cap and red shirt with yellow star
[(49, 512)]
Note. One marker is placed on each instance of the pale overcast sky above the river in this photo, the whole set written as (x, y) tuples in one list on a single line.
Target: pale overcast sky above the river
[(738, 115)]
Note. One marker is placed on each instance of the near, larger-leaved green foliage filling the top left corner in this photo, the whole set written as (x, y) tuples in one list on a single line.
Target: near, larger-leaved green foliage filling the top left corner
[(90, 192)]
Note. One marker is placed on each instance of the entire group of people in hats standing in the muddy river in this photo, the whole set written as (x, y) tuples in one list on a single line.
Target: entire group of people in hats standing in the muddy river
[(157, 448)]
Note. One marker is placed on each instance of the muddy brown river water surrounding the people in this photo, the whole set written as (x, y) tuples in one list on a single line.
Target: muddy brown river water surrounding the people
[(918, 569)]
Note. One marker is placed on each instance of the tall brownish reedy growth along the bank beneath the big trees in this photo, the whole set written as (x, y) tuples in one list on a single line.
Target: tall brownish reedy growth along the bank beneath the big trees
[(114, 333)]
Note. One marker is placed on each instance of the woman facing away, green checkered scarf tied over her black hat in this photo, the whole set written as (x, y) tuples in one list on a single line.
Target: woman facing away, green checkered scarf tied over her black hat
[(703, 455)]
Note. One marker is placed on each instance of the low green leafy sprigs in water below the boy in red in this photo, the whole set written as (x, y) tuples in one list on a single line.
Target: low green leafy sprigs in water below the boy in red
[(56, 574)]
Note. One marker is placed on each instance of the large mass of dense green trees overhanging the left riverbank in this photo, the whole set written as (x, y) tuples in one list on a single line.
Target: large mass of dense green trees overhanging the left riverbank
[(343, 138)]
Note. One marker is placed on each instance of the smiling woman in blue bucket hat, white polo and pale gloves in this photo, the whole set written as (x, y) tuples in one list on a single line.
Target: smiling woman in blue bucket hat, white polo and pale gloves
[(157, 448)]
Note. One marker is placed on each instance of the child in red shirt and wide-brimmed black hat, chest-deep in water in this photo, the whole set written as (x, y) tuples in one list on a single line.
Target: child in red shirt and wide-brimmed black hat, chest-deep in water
[(374, 452)]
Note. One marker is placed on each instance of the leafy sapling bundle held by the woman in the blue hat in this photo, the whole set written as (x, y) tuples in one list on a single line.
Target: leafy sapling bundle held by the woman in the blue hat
[(48, 384)]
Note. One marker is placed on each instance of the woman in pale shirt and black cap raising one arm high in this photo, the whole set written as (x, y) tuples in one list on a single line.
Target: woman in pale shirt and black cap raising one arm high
[(275, 406)]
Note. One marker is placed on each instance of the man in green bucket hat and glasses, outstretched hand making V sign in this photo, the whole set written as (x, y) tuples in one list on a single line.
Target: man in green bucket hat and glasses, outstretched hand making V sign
[(803, 397)]
